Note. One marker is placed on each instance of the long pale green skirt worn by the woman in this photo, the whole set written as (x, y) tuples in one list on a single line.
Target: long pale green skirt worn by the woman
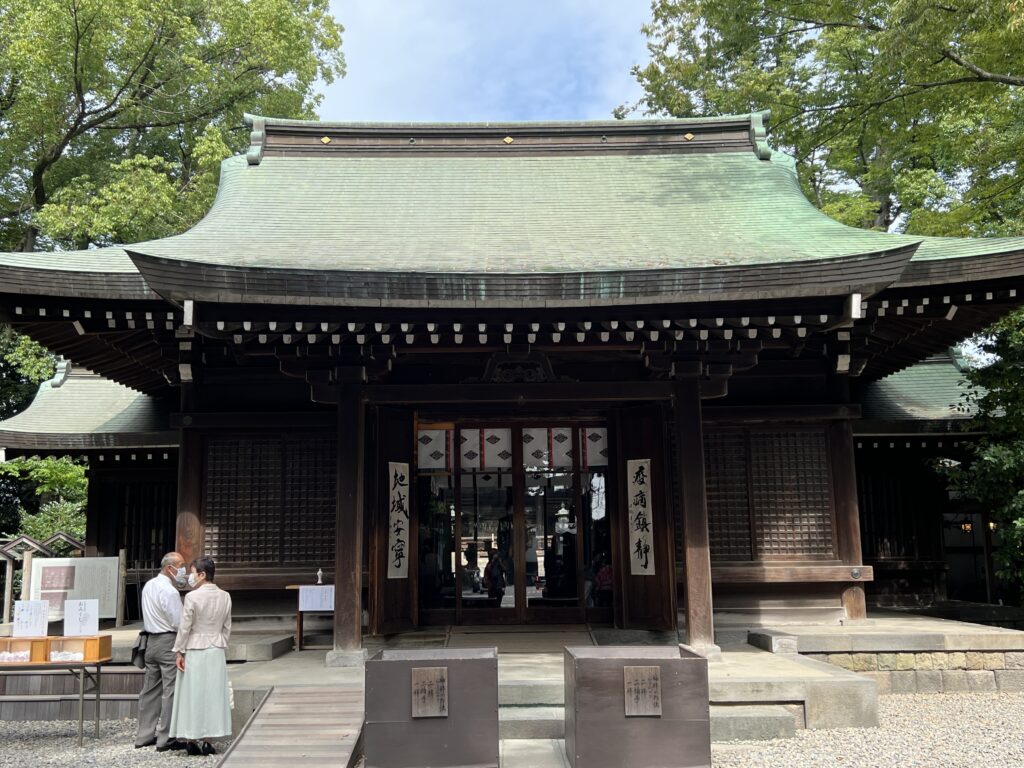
[(202, 709)]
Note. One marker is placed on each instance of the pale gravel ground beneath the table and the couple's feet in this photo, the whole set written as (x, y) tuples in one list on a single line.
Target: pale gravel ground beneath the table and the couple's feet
[(46, 744)]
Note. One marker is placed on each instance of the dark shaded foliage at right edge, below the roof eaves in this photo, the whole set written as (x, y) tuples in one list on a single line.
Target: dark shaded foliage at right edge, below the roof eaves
[(996, 474)]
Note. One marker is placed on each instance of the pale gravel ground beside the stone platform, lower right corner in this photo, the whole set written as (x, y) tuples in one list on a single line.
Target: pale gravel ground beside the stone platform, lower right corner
[(952, 731)]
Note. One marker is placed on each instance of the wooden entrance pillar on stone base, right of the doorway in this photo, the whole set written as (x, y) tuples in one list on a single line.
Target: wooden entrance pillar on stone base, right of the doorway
[(697, 551)]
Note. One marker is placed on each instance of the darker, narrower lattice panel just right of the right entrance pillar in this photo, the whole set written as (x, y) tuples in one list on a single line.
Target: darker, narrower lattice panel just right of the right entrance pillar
[(729, 499)]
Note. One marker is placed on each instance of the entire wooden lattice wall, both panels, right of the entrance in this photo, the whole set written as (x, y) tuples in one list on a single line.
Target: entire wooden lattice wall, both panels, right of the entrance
[(770, 494)]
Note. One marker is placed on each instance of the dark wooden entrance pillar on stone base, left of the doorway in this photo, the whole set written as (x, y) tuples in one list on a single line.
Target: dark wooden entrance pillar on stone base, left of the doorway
[(349, 536)]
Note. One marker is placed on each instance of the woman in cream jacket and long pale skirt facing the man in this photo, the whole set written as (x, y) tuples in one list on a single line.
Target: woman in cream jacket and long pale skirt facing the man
[(202, 710)]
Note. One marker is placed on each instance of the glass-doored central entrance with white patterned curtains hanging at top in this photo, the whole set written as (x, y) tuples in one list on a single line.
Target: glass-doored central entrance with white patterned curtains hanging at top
[(515, 524)]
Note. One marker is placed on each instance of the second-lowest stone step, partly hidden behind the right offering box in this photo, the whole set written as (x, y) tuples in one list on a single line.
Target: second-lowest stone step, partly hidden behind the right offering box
[(729, 723)]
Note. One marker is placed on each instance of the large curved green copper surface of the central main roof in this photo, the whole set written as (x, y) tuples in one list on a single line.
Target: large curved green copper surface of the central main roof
[(515, 216)]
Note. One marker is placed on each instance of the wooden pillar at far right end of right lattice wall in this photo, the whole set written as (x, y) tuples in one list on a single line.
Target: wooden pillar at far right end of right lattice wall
[(847, 514)]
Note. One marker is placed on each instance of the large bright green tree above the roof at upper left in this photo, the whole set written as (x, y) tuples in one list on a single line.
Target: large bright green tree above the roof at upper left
[(114, 113)]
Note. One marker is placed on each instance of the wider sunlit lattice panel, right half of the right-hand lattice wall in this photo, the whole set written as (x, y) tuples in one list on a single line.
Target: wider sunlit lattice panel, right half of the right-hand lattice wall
[(791, 494)]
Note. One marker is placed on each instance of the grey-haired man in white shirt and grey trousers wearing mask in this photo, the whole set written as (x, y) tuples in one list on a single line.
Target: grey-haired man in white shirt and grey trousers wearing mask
[(161, 617)]
